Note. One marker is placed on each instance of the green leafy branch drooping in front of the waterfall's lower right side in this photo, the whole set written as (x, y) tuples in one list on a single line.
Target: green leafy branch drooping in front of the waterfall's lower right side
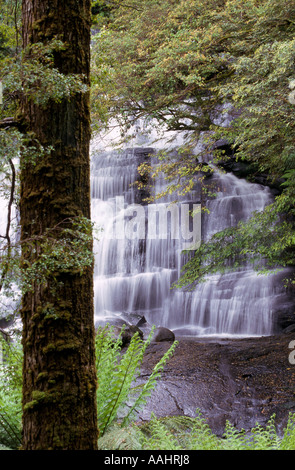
[(244, 243)]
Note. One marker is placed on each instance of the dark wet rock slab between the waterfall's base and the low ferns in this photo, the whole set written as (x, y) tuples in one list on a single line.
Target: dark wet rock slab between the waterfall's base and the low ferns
[(244, 381)]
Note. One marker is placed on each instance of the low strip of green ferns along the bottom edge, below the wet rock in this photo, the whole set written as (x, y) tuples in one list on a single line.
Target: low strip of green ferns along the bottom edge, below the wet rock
[(186, 433)]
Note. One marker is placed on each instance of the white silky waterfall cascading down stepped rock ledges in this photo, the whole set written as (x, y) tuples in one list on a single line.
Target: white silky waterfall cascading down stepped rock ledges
[(134, 274)]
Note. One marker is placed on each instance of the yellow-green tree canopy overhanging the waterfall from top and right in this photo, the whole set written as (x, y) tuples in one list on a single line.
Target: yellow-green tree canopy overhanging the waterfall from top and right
[(185, 63)]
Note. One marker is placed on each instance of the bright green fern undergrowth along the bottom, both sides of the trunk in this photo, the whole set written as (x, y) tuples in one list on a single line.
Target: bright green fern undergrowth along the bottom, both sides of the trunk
[(120, 396)]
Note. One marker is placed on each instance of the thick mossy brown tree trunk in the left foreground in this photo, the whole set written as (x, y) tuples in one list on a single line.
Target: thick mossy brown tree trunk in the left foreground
[(59, 377)]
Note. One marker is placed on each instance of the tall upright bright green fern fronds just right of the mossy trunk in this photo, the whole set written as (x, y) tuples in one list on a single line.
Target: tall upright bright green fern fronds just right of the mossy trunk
[(117, 374)]
